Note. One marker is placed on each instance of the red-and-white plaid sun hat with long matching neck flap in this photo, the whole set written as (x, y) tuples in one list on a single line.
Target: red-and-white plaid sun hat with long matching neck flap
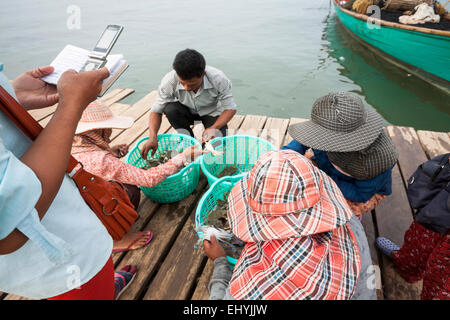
[(294, 220)]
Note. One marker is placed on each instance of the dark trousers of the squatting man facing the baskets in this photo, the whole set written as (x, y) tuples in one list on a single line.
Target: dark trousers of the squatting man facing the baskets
[(181, 119)]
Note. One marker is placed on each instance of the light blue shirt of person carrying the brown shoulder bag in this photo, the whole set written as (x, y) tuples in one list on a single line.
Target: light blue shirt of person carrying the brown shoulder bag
[(66, 249)]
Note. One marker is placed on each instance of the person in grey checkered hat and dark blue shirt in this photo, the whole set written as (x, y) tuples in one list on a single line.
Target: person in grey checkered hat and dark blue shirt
[(349, 144)]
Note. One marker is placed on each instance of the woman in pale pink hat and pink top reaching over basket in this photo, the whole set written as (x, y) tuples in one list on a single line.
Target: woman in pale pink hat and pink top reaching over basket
[(91, 148)]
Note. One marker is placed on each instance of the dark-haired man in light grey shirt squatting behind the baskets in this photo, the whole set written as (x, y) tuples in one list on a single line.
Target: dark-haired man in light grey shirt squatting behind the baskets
[(192, 92)]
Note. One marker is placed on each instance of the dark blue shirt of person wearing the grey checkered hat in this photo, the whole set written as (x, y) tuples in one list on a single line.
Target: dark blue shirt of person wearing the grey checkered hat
[(351, 188)]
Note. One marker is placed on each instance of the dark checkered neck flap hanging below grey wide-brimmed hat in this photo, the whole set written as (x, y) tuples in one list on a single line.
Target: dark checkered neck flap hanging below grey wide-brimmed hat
[(367, 163)]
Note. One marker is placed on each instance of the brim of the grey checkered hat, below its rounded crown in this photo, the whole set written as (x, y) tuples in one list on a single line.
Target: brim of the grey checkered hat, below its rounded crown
[(315, 136)]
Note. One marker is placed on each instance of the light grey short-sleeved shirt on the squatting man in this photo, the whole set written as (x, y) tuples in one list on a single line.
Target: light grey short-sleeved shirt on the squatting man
[(213, 97)]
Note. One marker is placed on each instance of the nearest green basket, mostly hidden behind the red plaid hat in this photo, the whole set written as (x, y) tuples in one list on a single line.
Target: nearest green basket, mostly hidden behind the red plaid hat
[(209, 201)]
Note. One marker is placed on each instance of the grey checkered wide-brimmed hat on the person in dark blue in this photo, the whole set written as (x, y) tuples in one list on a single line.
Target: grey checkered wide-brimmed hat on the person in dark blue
[(339, 123)]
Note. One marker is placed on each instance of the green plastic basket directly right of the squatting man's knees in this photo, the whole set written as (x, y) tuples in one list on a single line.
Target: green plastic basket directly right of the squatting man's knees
[(240, 151)]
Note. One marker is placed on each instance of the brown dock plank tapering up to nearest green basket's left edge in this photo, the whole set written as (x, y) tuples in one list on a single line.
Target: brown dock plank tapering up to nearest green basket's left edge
[(178, 272)]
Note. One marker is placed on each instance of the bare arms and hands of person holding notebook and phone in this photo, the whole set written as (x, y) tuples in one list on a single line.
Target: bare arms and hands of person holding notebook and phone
[(48, 155)]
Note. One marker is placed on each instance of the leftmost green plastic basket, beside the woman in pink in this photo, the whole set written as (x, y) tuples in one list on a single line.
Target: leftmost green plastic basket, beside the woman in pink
[(179, 185)]
